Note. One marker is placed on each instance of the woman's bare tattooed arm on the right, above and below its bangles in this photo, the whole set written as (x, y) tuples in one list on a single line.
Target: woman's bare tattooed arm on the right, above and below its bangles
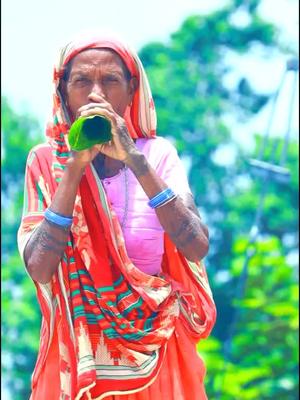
[(179, 217)]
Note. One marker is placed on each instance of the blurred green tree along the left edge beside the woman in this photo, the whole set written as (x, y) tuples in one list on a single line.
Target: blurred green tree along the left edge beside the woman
[(20, 311)]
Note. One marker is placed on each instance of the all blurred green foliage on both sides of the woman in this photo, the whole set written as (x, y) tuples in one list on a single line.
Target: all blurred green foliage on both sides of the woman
[(187, 76)]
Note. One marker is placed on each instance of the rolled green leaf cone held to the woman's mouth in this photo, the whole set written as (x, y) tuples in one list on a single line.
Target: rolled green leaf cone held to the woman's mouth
[(85, 132)]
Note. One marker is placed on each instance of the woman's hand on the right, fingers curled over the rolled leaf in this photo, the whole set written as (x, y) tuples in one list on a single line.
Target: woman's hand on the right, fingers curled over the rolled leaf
[(121, 146)]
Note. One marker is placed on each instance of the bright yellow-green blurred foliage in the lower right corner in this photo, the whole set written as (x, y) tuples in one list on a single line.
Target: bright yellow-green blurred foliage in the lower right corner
[(264, 360)]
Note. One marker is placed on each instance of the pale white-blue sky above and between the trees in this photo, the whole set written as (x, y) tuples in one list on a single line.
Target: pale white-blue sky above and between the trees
[(33, 30)]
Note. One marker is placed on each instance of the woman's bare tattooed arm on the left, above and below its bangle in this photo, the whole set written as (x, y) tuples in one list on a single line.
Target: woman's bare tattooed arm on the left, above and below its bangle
[(46, 246)]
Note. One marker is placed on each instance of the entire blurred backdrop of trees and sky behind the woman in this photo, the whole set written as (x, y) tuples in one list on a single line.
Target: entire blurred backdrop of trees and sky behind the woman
[(224, 76)]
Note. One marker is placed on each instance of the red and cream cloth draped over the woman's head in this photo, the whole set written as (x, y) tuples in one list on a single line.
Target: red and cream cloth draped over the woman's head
[(140, 116)]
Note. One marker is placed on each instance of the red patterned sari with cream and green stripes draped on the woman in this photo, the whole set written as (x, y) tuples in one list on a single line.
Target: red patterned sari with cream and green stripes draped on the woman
[(109, 330)]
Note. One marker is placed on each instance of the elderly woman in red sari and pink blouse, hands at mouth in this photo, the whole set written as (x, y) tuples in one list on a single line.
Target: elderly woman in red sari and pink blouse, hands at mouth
[(113, 241)]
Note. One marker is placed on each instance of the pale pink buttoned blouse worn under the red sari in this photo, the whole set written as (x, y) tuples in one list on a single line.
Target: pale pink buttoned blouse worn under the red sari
[(142, 230)]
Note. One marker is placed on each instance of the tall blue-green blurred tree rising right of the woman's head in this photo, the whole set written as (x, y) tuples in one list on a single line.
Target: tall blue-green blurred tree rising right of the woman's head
[(191, 108)]
